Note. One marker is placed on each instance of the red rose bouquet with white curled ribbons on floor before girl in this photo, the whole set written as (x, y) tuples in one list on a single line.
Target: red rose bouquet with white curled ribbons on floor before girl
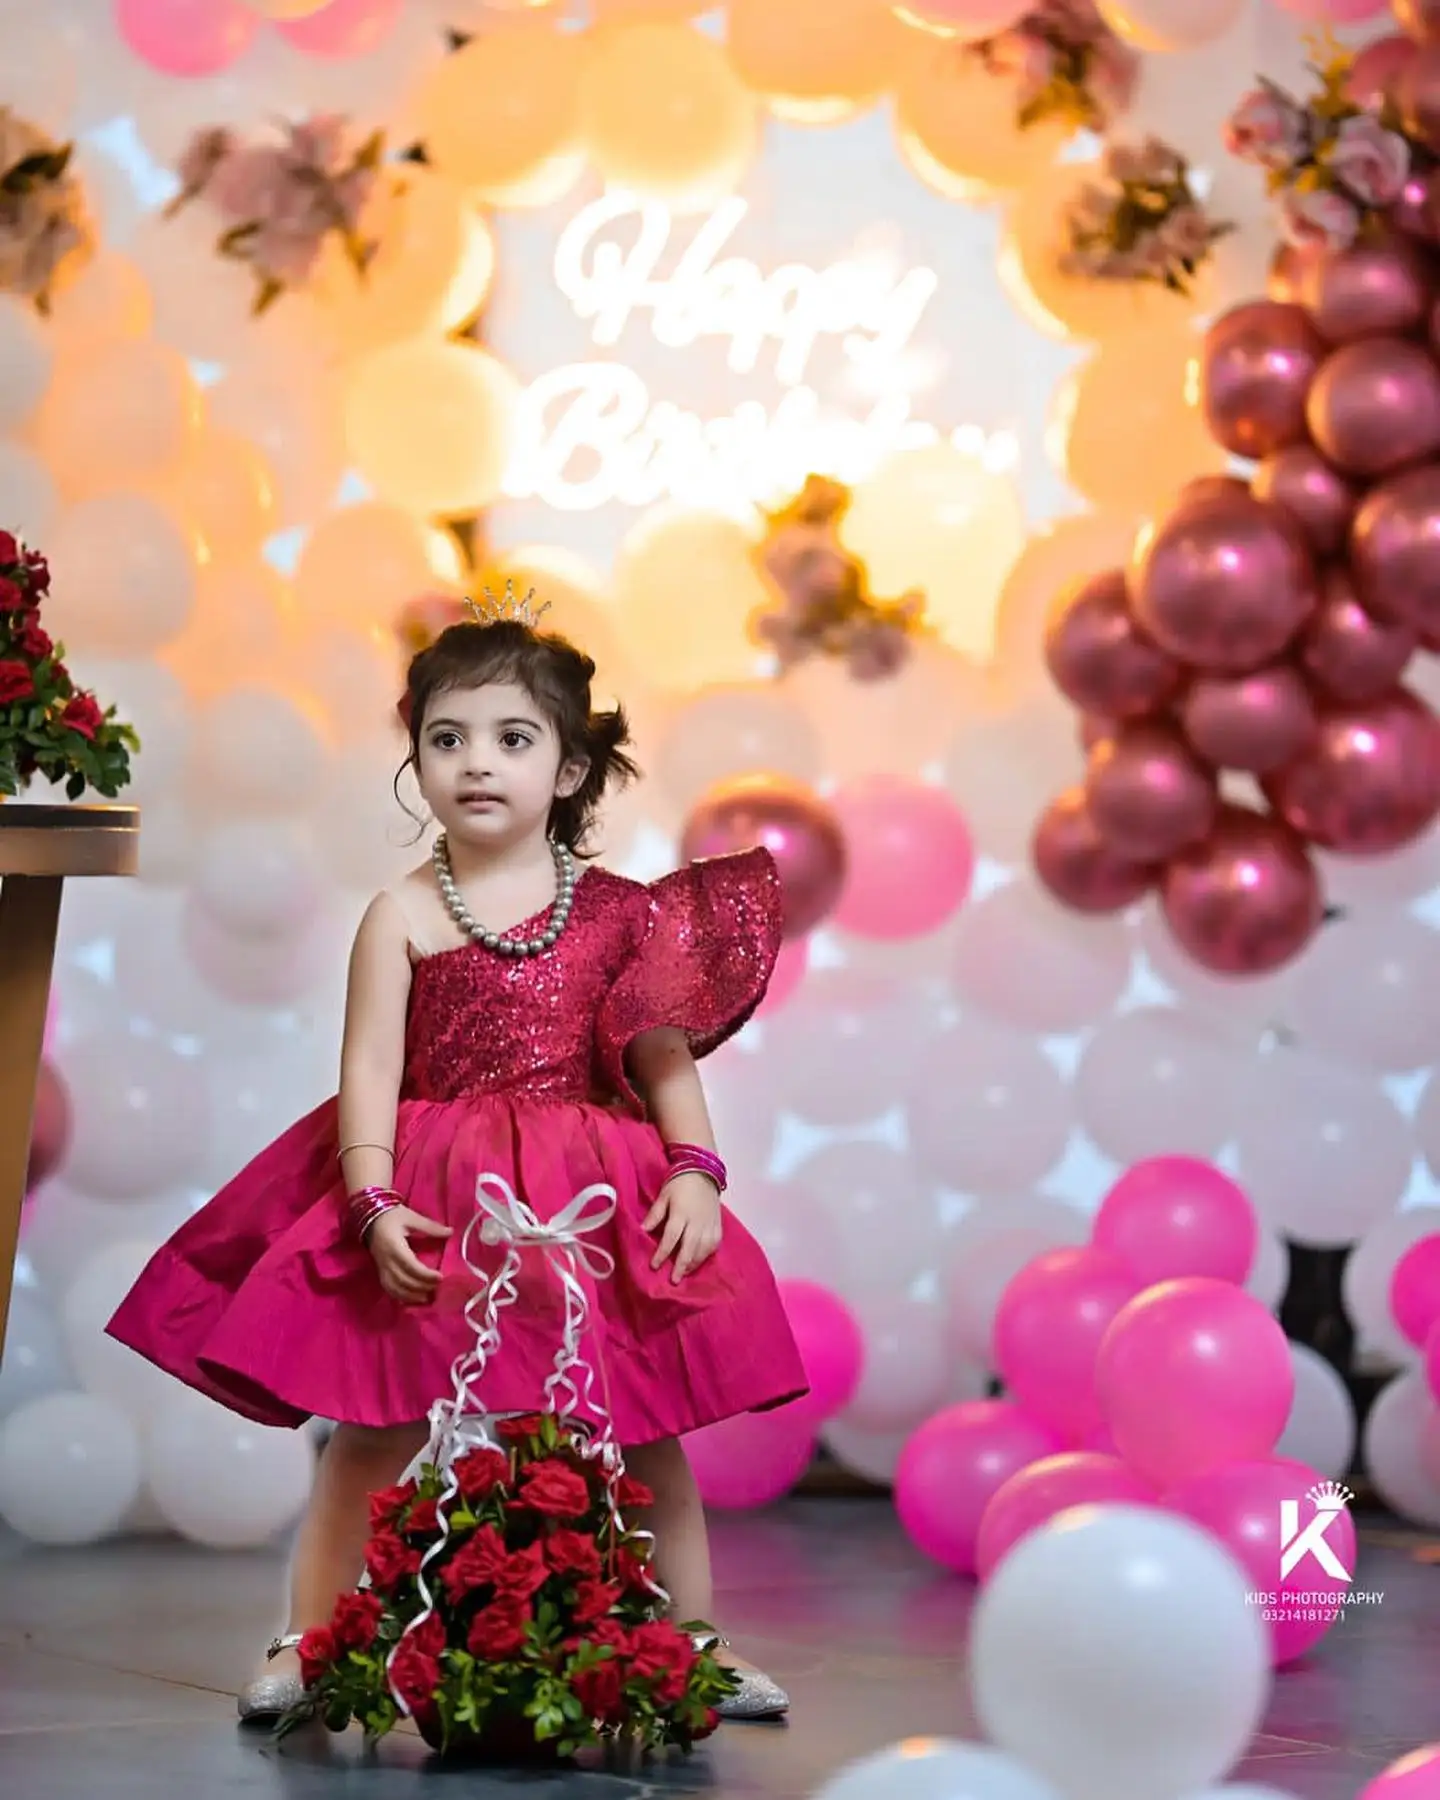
[(517, 1612)]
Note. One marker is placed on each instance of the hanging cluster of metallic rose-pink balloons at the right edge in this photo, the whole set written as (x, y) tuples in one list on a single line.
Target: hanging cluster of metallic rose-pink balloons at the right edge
[(1263, 629)]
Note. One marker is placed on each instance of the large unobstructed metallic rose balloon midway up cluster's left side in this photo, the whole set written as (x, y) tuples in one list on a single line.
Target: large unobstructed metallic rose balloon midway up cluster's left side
[(1225, 586)]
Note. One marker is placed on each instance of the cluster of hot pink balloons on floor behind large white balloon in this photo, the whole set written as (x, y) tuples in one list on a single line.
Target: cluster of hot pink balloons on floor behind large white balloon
[(1138, 1372)]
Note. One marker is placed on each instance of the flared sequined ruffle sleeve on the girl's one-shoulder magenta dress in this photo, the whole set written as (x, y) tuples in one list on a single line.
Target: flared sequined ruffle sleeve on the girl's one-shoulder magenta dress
[(703, 964)]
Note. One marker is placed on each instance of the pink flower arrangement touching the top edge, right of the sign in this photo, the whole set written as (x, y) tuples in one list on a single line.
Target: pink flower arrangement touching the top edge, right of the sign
[(1066, 64)]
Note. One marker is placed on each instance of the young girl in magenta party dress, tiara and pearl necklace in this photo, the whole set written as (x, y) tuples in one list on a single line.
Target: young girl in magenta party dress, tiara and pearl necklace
[(510, 1014)]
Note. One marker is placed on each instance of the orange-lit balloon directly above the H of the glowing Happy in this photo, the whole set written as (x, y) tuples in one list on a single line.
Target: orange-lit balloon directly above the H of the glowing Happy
[(665, 114)]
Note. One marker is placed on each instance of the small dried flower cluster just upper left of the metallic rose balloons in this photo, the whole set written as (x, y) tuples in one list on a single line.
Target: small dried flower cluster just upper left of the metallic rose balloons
[(1140, 222)]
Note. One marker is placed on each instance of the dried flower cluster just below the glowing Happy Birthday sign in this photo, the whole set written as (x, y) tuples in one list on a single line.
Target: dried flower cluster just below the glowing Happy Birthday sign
[(823, 604)]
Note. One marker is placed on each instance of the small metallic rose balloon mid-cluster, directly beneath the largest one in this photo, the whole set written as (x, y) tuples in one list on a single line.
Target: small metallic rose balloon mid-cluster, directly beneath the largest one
[(1149, 793)]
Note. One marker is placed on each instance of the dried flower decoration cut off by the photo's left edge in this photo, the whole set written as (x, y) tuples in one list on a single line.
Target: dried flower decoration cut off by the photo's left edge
[(46, 233)]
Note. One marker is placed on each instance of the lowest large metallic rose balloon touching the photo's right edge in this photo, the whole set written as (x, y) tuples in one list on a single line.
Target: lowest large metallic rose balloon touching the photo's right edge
[(1371, 782)]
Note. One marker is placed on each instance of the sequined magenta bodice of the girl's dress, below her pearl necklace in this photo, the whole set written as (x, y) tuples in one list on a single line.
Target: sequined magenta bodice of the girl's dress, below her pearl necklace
[(481, 1023)]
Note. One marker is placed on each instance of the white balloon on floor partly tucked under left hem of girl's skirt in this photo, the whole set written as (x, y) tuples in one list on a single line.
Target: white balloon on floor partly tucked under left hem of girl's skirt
[(222, 1480)]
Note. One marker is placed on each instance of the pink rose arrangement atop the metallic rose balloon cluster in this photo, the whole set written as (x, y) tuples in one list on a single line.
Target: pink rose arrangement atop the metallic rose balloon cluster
[(1331, 163)]
